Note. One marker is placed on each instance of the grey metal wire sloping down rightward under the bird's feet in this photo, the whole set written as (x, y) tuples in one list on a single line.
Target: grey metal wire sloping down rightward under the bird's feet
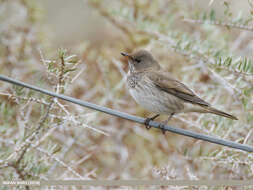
[(126, 116)]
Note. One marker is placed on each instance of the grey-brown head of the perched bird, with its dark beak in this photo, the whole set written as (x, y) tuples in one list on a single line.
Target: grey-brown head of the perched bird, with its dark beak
[(141, 60)]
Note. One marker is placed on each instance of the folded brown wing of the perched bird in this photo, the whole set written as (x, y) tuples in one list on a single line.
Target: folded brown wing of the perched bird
[(174, 87)]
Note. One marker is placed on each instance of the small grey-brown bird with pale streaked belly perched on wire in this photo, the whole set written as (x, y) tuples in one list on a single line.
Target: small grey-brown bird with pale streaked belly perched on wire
[(157, 91)]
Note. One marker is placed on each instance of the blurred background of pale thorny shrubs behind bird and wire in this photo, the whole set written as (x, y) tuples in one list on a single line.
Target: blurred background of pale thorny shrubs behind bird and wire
[(73, 47)]
